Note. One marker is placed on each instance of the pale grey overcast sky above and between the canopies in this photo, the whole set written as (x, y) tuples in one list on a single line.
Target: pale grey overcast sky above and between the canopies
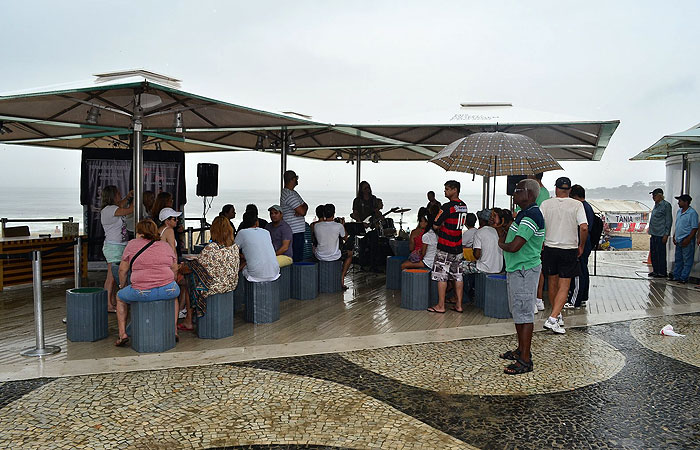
[(635, 61)]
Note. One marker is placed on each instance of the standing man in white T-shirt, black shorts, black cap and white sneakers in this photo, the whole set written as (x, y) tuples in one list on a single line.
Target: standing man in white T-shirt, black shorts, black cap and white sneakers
[(566, 230)]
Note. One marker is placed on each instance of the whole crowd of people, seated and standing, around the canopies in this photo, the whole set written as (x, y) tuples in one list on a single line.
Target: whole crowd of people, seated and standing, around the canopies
[(547, 237)]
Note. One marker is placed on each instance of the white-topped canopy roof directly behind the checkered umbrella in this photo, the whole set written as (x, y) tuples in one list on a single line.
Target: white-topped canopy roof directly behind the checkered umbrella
[(421, 136)]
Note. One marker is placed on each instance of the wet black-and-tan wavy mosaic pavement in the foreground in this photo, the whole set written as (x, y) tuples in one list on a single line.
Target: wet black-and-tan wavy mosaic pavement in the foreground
[(618, 385)]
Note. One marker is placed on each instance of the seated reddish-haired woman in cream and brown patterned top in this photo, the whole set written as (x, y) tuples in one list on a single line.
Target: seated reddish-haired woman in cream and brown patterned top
[(214, 271)]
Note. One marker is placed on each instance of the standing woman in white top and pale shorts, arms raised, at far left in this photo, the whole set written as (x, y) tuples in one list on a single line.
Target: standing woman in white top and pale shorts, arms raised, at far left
[(114, 208)]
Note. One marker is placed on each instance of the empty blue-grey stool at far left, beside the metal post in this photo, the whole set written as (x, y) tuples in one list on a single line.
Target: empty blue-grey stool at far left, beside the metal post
[(86, 314)]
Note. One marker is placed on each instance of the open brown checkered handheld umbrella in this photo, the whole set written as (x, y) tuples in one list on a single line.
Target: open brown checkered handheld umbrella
[(495, 154)]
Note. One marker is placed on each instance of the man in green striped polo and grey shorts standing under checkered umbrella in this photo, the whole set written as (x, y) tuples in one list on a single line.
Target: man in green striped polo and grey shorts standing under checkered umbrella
[(521, 247)]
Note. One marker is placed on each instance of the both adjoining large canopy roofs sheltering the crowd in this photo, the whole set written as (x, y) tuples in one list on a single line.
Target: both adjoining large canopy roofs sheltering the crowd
[(143, 110)]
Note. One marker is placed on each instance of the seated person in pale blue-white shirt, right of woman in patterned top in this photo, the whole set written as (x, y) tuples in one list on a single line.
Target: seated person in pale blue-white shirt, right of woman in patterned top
[(256, 246)]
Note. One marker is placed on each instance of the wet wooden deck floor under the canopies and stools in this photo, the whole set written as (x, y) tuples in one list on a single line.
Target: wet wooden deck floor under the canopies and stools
[(621, 290)]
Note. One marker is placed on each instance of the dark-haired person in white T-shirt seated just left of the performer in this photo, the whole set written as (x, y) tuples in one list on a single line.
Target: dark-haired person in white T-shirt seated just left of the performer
[(329, 237)]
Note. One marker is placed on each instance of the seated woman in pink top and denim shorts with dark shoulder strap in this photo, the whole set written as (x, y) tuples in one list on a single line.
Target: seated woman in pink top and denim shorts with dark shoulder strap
[(153, 267)]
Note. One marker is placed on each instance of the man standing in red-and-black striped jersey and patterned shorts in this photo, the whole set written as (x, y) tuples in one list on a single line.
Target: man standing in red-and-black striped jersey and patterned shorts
[(448, 259)]
